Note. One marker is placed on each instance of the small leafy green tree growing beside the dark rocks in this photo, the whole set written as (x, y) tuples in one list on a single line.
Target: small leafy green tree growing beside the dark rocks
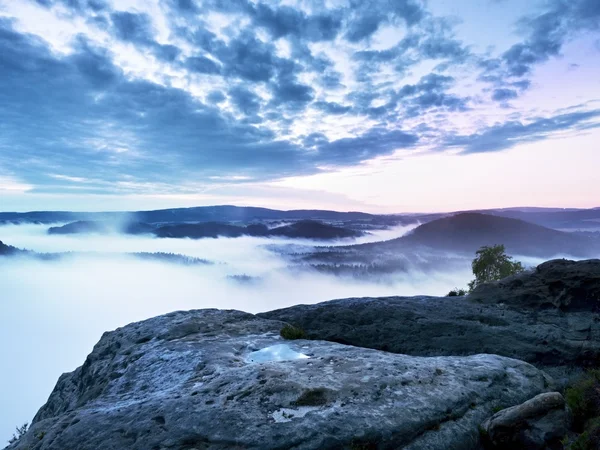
[(492, 264)]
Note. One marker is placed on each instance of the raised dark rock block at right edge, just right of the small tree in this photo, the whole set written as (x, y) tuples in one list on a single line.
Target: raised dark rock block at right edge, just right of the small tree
[(560, 283)]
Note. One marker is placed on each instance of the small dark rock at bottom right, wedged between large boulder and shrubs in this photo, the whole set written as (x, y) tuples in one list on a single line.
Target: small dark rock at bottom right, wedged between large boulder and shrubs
[(538, 424)]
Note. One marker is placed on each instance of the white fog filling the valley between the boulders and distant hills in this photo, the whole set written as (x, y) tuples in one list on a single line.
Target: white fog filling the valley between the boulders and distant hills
[(53, 312)]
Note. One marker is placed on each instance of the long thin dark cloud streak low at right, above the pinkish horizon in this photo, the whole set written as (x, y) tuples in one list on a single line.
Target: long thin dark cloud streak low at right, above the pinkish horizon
[(507, 135)]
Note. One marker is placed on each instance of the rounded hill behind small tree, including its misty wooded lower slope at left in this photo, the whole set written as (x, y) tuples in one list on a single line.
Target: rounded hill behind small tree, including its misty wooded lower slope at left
[(446, 244)]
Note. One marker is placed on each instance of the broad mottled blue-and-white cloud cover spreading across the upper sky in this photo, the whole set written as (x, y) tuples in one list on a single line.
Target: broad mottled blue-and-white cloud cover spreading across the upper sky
[(254, 89)]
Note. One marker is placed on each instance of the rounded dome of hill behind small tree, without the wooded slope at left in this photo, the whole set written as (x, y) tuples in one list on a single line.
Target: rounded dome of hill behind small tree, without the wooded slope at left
[(467, 232)]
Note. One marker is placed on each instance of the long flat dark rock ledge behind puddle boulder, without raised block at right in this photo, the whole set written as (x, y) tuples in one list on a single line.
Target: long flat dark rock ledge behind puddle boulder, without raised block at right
[(432, 326)]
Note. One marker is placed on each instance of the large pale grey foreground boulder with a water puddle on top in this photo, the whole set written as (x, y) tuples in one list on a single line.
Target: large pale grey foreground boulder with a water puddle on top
[(225, 379)]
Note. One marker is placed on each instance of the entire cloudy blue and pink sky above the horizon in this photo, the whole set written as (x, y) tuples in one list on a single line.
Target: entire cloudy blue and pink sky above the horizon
[(373, 105)]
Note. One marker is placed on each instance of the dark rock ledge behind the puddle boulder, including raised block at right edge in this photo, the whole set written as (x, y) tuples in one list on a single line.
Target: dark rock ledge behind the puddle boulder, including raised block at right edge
[(563, 331)]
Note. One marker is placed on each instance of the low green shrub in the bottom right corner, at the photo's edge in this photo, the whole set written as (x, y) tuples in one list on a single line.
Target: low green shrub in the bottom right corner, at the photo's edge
[(583, 397)]
